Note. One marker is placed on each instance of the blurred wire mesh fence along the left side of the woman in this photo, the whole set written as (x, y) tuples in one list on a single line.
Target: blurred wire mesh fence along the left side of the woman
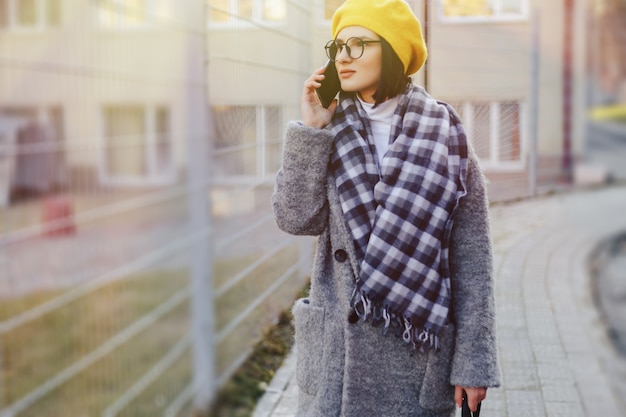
[(97, 234)]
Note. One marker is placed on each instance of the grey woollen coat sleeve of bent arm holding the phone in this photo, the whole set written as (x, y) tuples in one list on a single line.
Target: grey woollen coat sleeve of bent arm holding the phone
[(300, 201)]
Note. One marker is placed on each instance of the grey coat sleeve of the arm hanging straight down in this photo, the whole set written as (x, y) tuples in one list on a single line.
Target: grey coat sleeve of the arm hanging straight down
[(475, 362)]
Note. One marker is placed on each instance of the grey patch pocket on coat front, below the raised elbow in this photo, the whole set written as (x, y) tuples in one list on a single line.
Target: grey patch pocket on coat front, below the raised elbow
[(309, 324)]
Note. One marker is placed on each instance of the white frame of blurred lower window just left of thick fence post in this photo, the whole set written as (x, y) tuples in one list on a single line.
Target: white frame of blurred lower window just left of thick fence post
[(155, 174)]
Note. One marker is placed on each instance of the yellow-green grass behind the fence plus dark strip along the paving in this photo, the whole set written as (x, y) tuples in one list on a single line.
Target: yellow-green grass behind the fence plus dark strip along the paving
[(38, 350)]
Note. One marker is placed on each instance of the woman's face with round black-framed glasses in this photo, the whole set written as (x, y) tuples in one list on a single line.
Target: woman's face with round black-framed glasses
[(360, 75)]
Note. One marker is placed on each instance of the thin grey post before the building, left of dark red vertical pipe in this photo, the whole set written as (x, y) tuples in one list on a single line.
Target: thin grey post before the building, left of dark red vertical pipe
[(534, 105)]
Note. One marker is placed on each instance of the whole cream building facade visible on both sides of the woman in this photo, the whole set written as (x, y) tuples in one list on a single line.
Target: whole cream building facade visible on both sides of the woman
[(111, 78)]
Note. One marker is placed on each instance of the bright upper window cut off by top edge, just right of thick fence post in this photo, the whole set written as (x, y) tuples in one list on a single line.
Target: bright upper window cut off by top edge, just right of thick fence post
[(224, 12)]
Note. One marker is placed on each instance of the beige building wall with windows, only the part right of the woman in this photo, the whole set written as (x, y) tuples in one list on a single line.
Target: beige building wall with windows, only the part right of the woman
[(499, 61)]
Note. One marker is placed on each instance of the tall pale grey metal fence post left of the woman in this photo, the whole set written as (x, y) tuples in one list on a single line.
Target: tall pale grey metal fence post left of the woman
[(198, 181)]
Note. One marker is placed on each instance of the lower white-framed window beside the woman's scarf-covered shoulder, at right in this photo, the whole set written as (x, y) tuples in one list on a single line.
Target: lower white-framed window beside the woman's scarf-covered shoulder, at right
[(495, 131)]
